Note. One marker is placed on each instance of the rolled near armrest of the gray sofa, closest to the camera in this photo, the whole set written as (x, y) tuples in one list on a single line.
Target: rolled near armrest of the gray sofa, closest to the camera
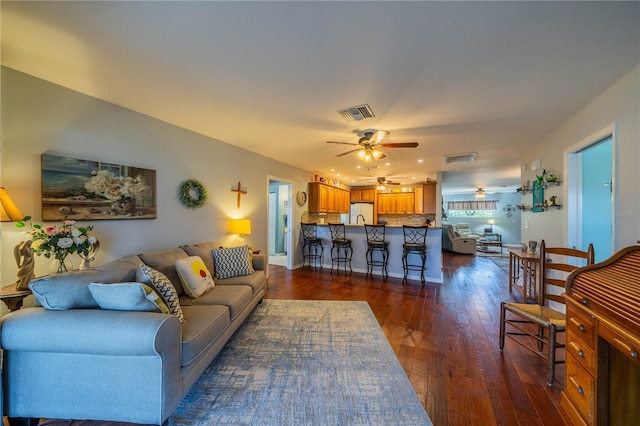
[(91, 331)]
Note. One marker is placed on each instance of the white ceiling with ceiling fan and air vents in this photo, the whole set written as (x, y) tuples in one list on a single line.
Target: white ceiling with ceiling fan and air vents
[(457, 77)]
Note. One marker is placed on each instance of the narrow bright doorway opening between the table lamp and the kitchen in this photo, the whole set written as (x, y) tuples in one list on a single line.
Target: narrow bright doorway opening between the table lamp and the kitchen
[(279, 237)]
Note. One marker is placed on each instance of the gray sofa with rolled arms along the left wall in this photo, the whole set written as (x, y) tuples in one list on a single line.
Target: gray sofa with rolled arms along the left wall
[(78, 361)]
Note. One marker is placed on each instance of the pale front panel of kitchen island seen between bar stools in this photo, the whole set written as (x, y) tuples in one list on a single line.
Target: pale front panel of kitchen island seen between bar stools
[(395, 238)]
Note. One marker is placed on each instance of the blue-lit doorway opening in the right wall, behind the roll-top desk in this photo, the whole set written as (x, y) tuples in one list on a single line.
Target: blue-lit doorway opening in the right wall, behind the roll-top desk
[(590, 171)]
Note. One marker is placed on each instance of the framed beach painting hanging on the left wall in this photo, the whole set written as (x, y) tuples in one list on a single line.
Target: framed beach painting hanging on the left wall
[(93, 190)]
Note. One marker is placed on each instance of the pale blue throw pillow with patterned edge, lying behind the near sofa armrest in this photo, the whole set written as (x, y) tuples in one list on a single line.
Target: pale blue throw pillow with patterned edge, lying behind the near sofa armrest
[(127, 297)]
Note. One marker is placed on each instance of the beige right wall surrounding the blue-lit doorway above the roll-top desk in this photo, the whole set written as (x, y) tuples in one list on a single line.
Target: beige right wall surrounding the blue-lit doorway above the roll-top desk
[(619, 105)]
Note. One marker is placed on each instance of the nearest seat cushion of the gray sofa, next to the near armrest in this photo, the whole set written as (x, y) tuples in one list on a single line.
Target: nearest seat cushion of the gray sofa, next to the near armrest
[(202, 326)]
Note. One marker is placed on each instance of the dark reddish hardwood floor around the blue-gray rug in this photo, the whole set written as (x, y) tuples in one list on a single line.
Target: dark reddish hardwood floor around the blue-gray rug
[(446, 338)]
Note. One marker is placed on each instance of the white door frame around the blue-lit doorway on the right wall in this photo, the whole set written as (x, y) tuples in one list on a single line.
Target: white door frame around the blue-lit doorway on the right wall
[(573, 186)]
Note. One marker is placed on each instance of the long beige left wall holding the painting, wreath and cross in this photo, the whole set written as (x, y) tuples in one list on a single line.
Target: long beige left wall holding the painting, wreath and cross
[(40, 117)]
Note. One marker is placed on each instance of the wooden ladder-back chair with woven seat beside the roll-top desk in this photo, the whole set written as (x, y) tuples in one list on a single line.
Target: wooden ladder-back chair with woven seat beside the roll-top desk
[(535, 325)]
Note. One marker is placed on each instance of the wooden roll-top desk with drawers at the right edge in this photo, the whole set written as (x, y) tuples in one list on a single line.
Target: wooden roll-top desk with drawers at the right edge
[(602, 379)]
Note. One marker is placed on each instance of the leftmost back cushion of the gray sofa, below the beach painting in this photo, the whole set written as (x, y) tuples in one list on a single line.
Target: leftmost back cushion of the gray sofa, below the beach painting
[(71, 290)]
